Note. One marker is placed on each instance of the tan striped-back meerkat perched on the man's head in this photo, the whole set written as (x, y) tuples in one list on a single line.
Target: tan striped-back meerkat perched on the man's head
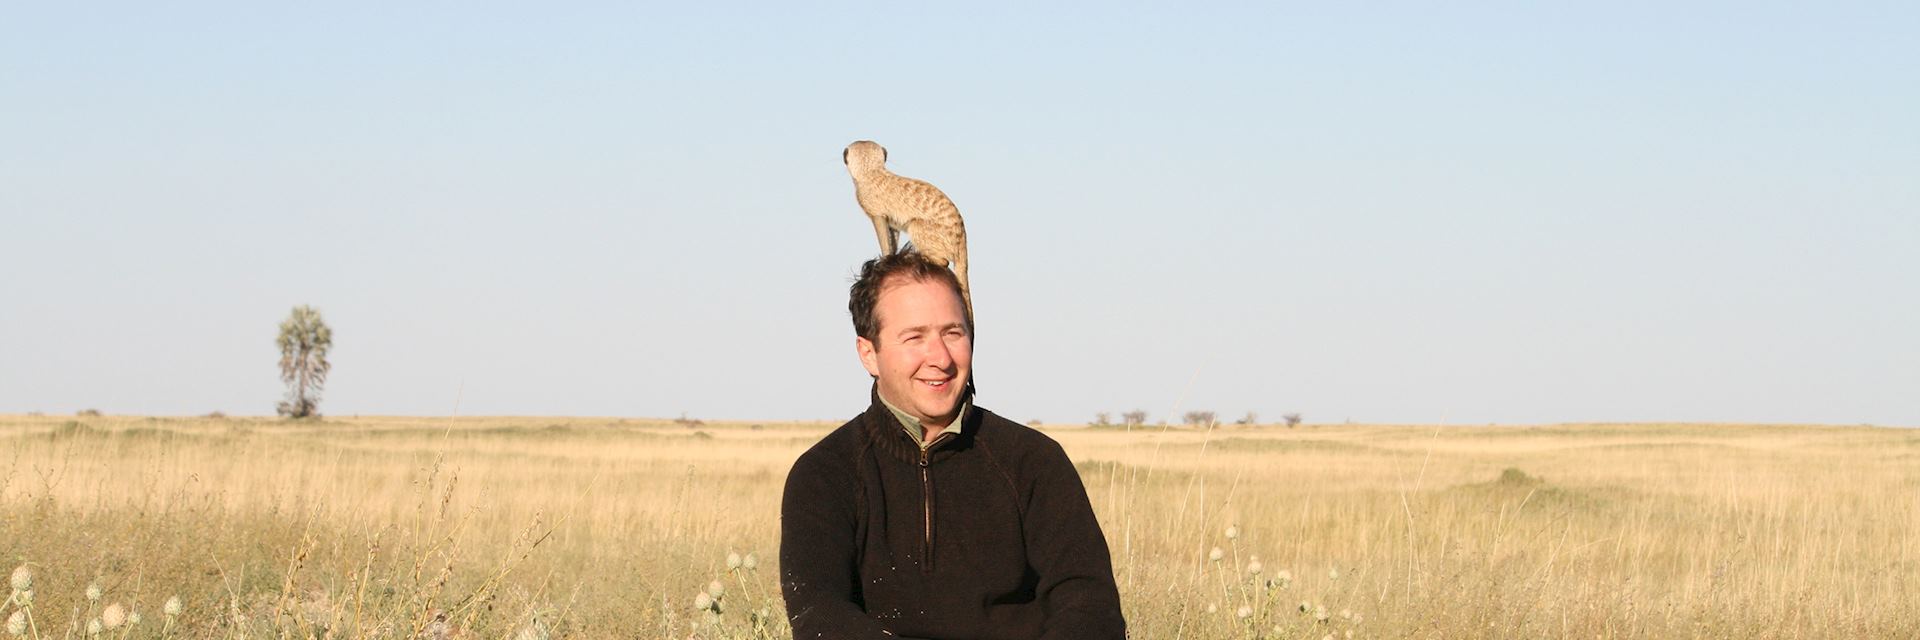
[(898, 203)]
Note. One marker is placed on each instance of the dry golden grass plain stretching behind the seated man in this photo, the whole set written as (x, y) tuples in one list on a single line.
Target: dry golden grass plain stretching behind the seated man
[(512, 528)]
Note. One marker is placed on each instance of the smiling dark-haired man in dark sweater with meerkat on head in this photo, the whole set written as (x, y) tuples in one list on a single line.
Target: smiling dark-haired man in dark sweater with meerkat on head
[(932, 518)]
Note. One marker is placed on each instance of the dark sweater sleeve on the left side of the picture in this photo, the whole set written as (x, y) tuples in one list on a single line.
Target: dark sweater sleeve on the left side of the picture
[(817, 553)]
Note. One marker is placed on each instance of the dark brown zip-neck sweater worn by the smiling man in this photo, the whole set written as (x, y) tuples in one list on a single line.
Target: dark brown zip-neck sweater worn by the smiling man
[(986, 535)]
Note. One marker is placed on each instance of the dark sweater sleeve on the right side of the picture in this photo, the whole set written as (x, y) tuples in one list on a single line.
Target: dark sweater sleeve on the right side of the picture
[(1067, 549)]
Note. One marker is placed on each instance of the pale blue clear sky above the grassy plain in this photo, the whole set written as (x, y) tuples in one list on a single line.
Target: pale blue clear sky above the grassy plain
[(1493, 212)]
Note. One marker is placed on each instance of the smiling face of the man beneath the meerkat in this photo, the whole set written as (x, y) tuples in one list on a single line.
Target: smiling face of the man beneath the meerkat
[(924, 353)]
